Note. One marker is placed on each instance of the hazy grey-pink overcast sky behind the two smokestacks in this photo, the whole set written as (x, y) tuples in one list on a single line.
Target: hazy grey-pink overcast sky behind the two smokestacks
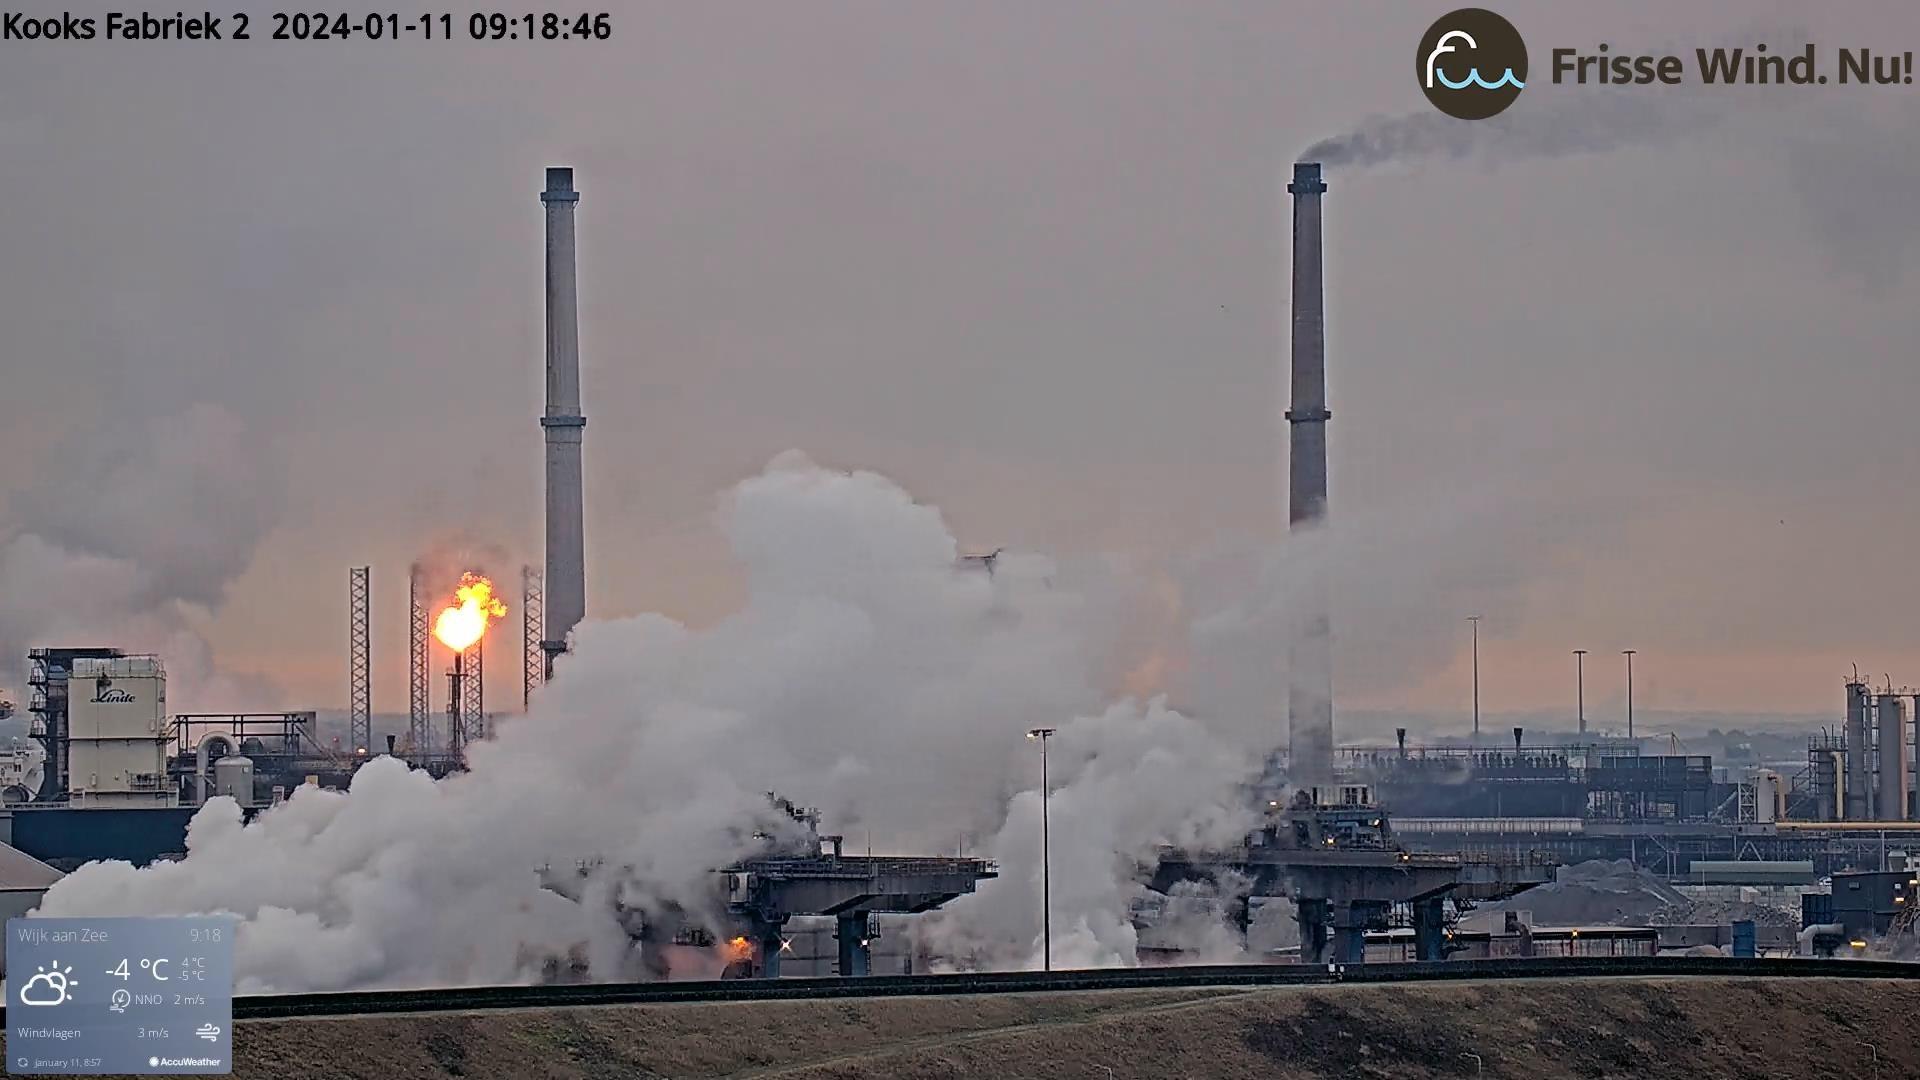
[(1028, 262)]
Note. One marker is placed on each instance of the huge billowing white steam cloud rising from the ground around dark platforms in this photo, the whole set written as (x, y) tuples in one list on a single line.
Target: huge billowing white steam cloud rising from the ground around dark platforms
[(867, 675)]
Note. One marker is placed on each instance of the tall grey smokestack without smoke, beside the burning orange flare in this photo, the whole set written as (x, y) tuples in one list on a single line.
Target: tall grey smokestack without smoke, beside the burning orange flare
[(564, 424)]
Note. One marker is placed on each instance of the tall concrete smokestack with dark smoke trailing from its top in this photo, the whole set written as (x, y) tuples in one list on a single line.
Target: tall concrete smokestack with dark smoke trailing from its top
[(1310, 652)]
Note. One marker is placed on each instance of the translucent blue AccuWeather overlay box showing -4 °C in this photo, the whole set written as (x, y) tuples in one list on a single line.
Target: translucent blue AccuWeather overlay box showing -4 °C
[(153, 996)]
